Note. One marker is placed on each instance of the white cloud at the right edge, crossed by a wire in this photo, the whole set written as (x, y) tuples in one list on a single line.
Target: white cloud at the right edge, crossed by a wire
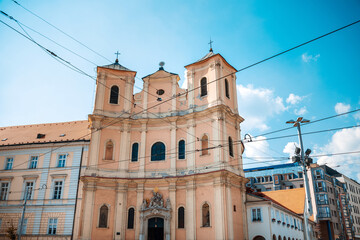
[(345, 140)]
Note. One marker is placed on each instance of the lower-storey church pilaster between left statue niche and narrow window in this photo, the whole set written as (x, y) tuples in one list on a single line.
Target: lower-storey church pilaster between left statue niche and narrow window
[(120, 211)]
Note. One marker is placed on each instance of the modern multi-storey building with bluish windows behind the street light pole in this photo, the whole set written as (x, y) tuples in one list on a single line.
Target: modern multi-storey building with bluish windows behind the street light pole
[(325, 192)]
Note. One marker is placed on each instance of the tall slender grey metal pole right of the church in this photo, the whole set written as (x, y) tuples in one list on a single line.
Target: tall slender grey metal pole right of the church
[(308, 208)]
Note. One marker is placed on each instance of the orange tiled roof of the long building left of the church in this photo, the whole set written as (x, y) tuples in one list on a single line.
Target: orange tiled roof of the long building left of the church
[(45, 133)]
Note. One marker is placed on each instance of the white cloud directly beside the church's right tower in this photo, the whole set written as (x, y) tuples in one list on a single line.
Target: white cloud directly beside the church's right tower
[(257, 105)]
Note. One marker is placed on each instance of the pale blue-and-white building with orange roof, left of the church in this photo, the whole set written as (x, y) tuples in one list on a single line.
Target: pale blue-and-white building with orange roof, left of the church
[(41, 163)]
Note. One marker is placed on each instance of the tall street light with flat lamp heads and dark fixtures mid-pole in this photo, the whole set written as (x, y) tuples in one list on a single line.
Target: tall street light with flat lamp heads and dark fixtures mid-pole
[(304, 160)]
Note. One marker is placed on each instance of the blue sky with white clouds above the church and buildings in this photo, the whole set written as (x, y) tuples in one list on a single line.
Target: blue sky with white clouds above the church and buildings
[(314, 81)]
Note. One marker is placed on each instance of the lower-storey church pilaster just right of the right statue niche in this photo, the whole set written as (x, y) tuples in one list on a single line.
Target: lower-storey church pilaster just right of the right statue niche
[(219, 209)]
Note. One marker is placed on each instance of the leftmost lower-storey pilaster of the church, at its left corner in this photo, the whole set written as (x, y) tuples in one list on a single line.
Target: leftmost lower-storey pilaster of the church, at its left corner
[(89, 196)]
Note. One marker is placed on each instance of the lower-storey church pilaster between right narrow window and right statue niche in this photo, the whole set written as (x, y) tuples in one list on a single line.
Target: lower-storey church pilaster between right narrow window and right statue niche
[(190, 210)]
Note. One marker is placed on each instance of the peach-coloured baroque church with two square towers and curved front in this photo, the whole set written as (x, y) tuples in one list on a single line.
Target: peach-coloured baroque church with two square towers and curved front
[(164, 163)]
